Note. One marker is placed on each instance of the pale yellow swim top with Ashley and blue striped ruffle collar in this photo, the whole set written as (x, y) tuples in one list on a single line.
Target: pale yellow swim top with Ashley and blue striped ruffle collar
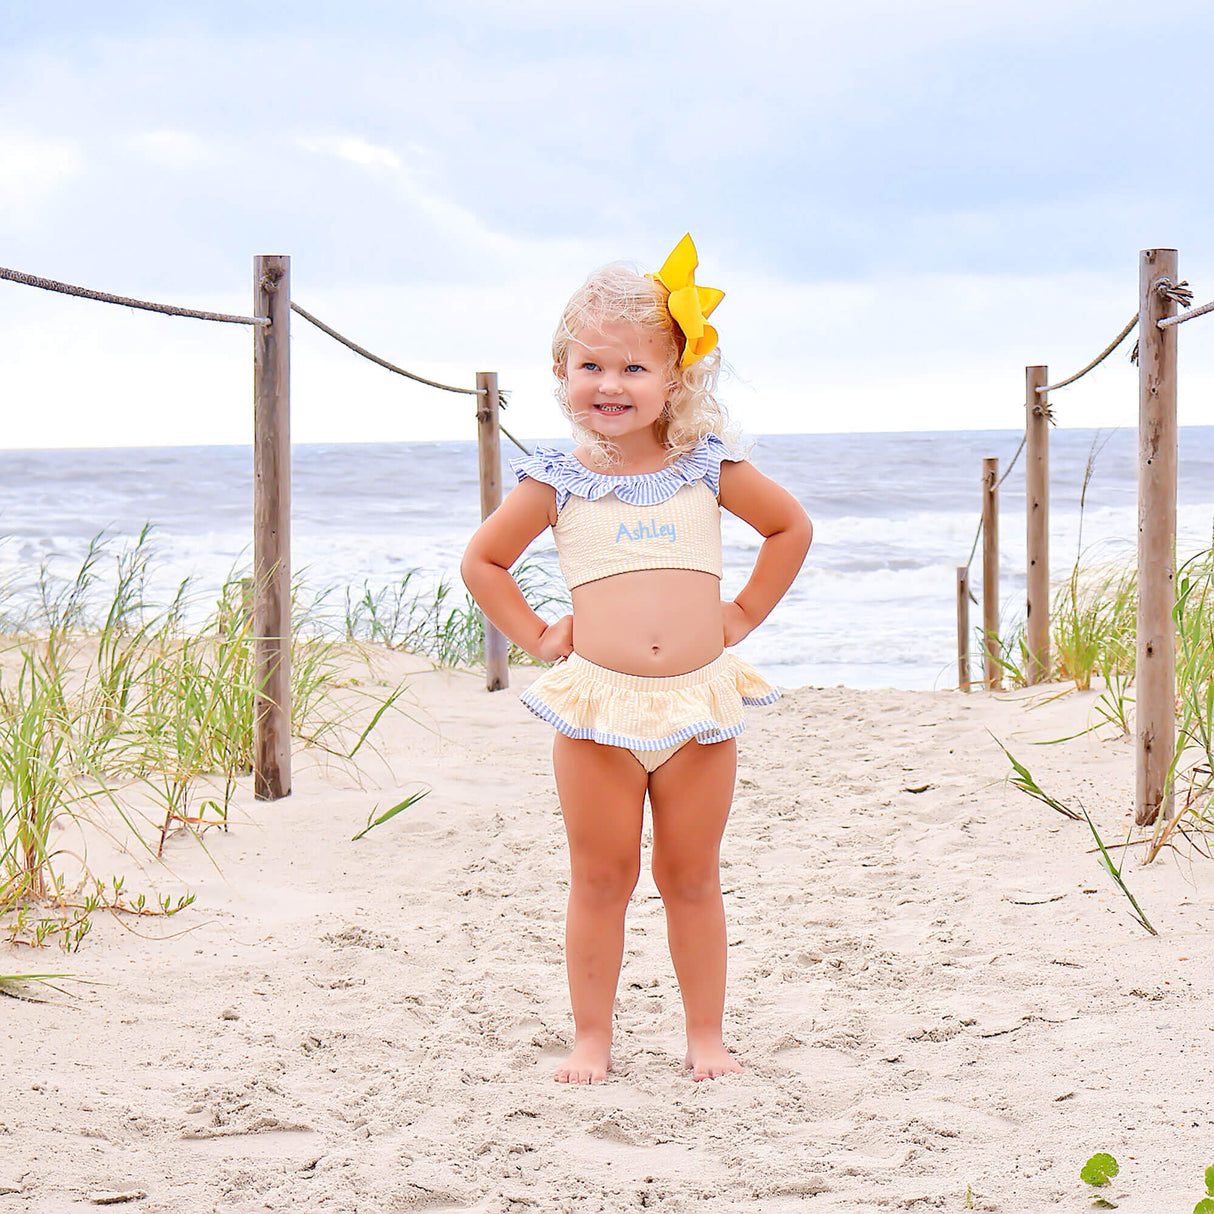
[(608, 525)]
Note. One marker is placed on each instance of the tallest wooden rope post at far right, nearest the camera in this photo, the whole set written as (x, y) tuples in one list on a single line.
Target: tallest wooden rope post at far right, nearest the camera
[(1156, 678)]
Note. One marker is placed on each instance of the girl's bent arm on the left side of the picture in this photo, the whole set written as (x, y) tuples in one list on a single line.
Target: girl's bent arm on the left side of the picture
[(489, 558)]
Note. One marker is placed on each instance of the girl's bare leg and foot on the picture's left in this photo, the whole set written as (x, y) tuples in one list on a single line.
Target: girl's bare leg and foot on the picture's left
[(603, 801)]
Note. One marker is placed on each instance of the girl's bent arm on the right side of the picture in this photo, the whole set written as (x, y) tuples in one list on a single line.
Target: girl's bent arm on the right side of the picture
[(787, 534)]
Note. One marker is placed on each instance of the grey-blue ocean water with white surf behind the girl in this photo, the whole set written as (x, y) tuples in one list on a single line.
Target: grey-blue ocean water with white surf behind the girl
[(875, 608)]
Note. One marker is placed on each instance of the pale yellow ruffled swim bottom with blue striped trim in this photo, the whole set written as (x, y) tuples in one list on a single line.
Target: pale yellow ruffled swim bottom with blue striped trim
[(651, 717)]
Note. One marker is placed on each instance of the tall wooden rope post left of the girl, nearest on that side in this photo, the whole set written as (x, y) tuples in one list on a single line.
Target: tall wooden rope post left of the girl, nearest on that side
[(273, 529)]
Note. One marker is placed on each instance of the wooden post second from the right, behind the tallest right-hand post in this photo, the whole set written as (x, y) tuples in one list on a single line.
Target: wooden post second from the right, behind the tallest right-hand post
[(1037, 504)]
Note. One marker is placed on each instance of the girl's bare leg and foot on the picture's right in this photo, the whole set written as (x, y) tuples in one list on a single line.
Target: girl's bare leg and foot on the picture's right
[(691, 795)]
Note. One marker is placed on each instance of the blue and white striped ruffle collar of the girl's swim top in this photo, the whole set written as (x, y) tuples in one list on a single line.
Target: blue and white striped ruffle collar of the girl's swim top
[(569, 476)]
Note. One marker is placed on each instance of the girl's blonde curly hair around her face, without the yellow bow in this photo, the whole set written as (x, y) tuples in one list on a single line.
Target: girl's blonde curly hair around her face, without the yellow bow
[(621, 293)]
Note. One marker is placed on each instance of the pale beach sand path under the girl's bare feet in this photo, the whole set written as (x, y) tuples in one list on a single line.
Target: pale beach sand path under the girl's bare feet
[(934, 989)]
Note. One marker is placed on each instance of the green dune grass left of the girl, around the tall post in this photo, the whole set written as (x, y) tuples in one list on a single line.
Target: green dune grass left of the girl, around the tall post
[(107, 701)]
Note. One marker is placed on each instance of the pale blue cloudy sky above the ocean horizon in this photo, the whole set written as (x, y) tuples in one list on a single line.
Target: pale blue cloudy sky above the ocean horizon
[(905, 202)]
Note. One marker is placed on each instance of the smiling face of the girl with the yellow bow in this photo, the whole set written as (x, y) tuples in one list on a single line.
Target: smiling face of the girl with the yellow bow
[(619, 378)]
